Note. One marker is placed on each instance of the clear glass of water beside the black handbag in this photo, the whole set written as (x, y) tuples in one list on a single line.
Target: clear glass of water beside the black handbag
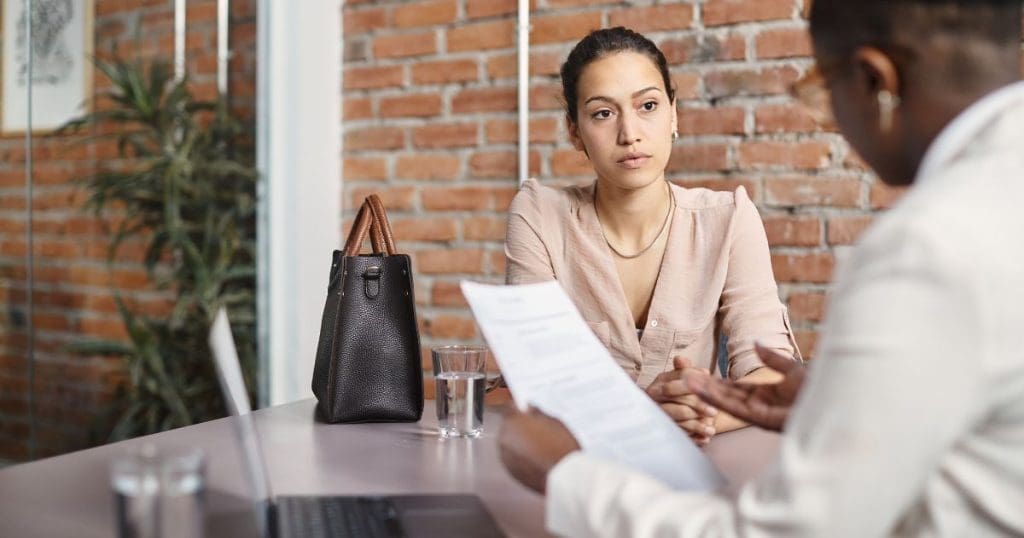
[(460, 378)]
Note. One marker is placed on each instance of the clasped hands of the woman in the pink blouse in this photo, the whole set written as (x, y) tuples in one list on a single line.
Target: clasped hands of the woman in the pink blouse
[(671, 393)]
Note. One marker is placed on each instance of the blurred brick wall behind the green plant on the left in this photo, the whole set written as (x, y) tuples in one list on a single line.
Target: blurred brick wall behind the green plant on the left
[(73, 299)]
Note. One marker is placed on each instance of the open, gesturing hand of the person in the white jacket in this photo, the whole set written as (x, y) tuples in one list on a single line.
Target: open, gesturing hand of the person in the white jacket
[(762, 405)]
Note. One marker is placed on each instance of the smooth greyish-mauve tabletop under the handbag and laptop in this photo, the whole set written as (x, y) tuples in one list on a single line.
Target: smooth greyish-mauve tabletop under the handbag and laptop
[(70, 495)]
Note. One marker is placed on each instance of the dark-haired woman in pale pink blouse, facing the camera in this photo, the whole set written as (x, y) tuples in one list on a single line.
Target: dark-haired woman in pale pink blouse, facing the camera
[(659, 272)]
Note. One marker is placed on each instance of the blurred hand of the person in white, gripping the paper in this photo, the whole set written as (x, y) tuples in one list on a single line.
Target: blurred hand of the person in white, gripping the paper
[(531, 444)]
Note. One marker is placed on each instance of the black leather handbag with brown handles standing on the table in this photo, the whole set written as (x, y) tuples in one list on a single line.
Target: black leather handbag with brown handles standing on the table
[(368, 360)]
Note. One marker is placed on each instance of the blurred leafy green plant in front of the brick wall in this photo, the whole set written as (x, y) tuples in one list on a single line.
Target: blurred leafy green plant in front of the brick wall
[(186, 185)]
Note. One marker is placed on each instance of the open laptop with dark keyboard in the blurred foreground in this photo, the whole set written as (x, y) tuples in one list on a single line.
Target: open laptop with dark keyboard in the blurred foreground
[(315, 517)]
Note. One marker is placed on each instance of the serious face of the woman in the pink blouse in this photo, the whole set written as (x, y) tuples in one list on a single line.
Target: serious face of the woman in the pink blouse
[(625, 120)]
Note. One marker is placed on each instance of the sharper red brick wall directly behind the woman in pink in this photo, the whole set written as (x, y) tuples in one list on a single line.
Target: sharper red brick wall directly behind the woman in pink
[(431, 123)]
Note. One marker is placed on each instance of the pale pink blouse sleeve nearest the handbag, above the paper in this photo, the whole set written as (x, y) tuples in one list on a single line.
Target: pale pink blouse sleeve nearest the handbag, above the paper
[(528, 259)]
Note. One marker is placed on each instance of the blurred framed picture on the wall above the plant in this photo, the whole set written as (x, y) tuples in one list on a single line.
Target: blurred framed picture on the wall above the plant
[(62, 69)]
